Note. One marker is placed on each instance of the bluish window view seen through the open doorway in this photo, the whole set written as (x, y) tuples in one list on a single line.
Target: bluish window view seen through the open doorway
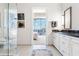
[(40, 26)]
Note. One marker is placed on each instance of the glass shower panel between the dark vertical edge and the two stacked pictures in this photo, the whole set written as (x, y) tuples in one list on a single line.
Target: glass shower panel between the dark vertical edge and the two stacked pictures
[(12, 31)]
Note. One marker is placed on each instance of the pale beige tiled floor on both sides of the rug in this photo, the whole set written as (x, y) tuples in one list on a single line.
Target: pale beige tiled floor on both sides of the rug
[(27, 50)]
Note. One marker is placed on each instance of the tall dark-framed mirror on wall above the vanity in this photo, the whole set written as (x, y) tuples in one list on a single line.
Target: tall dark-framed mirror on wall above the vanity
[(68, 18)]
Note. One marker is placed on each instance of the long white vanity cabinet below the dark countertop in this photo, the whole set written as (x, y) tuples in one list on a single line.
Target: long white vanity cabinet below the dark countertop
[(67, 45)]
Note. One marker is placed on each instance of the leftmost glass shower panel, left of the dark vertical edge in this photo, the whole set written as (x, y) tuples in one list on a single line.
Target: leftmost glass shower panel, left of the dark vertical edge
[(4, 30)]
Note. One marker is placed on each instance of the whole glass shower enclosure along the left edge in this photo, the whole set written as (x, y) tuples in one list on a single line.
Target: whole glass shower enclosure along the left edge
[(8, 29)]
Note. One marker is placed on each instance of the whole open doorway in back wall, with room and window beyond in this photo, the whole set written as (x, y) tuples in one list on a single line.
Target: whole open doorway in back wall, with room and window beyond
[(39, 27)]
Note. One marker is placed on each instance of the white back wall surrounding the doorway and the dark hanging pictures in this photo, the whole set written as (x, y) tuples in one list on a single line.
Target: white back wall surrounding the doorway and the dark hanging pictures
[(53, 13)]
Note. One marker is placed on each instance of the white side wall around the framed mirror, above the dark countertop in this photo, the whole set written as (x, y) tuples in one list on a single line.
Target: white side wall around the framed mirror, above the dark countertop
[(75, 13)]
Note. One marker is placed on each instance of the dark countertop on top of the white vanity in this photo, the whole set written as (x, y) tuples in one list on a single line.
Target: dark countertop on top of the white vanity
[(74, 33)]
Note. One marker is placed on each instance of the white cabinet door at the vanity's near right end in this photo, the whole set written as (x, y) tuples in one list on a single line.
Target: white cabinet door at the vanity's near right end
[(75, 47)]
